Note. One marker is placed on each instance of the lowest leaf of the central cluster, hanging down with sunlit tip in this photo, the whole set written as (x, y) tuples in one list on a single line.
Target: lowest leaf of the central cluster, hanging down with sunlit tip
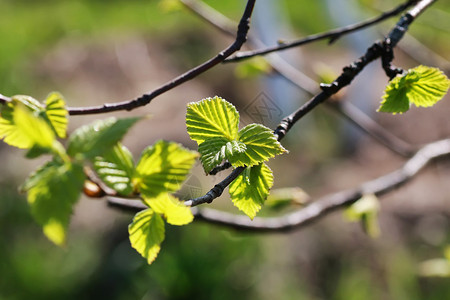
[(250, 189)]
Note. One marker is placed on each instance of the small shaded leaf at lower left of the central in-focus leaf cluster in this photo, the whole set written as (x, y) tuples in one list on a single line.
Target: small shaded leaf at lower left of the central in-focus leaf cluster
[(214, 150)]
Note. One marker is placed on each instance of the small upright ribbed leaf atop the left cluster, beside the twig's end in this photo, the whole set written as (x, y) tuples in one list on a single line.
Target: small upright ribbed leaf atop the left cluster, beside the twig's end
[(55, 109)]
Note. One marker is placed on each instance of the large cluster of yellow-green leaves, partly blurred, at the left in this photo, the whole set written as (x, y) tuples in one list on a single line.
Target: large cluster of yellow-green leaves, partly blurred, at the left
[(54, 188)]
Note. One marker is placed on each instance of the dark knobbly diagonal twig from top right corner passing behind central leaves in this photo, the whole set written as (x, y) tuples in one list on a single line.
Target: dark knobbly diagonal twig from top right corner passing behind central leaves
[(349, 73)]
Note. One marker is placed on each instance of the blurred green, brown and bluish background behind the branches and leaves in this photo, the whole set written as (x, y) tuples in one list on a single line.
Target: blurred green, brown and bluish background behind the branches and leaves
[(97, 51)]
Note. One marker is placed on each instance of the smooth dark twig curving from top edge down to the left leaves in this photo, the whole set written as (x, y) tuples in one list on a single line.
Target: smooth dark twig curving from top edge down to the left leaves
[(241, 37)]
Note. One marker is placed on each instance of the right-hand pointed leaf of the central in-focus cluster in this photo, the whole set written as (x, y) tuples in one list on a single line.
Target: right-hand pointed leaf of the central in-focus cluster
[(260, 143)]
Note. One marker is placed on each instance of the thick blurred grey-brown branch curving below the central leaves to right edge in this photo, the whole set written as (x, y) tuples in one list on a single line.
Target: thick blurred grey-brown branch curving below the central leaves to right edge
[(319, 208)]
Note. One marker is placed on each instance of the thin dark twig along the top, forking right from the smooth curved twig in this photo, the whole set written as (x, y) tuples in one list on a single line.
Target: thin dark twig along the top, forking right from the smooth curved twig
[(333, 35)]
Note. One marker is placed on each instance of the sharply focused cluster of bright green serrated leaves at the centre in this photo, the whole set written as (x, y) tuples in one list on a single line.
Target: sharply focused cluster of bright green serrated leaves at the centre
[(214, 124)]
